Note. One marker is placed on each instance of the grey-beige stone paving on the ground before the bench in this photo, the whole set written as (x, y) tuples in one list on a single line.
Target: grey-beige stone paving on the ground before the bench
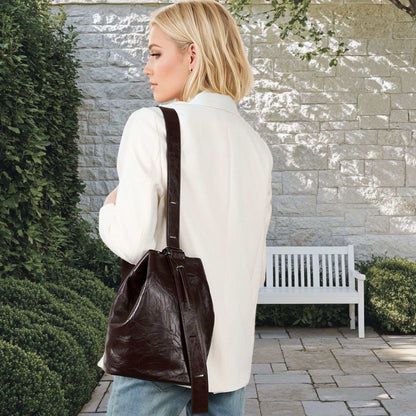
[(320, 372)]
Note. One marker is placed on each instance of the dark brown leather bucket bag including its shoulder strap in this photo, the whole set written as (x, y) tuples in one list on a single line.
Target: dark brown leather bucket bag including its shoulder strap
[(161, 320)]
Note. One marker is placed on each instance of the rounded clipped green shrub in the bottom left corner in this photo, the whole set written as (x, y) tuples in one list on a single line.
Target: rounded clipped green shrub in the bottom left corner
[(28, 387)]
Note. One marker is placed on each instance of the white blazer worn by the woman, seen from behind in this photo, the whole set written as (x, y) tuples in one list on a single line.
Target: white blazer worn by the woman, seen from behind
[(225, 211)]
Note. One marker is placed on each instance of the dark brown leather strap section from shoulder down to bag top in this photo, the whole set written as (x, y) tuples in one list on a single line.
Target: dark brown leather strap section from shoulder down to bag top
[(173, 138)]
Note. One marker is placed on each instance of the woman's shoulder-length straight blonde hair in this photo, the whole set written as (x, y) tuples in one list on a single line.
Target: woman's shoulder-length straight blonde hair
[(222, 65)]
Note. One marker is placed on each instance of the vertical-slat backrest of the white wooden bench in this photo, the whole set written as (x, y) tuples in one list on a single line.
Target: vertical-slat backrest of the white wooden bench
[(310, 267)]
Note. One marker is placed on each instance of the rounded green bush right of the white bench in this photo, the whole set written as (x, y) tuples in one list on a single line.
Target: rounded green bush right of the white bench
[(391, 296)]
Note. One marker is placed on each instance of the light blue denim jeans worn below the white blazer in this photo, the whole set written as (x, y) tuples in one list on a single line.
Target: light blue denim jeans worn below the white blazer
[(134, 397)]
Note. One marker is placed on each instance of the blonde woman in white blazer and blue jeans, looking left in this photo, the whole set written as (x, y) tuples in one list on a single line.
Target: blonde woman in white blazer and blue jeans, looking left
[(197, 63)]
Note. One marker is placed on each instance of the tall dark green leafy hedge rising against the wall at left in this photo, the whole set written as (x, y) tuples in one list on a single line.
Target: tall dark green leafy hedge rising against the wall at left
[(39, 98)]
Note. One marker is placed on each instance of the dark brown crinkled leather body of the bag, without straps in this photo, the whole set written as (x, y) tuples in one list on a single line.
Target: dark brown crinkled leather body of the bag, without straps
[(144, 337)]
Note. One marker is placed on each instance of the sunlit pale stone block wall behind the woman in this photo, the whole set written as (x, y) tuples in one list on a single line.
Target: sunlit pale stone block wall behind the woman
[(343, 138)]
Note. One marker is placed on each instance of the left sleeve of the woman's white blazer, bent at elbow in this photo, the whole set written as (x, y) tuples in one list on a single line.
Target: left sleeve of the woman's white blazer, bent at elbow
[(128, 226)]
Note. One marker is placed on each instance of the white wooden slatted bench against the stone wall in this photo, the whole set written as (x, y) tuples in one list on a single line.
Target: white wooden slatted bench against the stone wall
[(310, 275)]
